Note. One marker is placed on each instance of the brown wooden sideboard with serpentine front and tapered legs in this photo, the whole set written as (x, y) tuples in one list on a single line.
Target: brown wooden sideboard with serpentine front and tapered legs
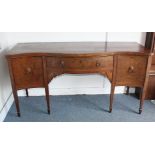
[(34, 65)]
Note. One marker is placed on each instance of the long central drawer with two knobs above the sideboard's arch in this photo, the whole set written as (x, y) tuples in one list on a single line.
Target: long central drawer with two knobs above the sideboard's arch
[(80, 63)]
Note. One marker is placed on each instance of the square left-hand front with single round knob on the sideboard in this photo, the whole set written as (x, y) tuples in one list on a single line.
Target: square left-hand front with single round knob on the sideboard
[(28, 72)]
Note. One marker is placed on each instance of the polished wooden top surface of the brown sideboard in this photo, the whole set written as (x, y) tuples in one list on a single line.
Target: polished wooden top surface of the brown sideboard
[(76, 47)]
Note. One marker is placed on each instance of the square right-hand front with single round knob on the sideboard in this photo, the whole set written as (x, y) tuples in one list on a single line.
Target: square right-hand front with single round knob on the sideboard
[(131, 70)]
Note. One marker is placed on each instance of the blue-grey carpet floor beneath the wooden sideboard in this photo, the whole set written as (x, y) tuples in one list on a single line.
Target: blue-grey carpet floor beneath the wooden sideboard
[(82, 108)]
